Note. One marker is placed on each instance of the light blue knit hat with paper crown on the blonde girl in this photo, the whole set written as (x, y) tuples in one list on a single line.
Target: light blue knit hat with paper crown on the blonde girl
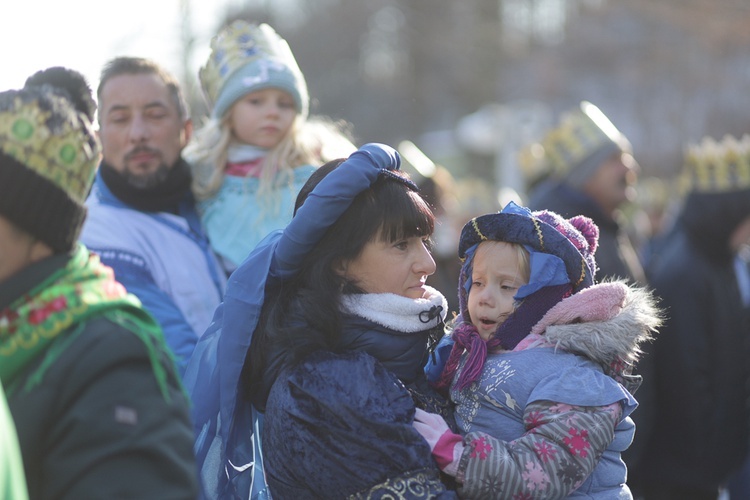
[(245, 58)]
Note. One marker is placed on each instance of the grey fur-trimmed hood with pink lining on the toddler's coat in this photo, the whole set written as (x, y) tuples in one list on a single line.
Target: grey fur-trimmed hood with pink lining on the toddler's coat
[(606, 323)]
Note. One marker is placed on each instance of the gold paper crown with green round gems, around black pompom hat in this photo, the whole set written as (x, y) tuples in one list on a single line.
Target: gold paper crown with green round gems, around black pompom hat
[(53, 140)]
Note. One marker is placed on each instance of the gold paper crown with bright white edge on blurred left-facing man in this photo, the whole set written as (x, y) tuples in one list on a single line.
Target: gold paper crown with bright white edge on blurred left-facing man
[(580, 133)]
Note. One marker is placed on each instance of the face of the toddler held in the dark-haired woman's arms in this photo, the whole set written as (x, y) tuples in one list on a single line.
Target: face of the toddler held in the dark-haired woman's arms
[(497, 274)]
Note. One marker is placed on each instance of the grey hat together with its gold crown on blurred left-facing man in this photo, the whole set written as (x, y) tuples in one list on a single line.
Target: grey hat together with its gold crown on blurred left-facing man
[(575, 149)]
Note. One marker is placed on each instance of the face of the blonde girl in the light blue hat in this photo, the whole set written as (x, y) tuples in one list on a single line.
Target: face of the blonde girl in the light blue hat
[(262, 118)]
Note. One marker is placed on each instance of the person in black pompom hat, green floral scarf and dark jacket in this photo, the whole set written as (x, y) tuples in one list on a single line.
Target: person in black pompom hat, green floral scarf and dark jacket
[(97, 402)]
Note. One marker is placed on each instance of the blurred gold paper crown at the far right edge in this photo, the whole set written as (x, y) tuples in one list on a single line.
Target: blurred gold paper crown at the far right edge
[(712, 166)]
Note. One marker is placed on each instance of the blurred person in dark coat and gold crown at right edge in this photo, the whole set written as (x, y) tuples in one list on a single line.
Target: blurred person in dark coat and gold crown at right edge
[(700, 435)]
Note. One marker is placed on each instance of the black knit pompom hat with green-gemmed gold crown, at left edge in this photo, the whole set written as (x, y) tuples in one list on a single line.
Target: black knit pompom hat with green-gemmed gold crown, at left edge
[(48, 155)]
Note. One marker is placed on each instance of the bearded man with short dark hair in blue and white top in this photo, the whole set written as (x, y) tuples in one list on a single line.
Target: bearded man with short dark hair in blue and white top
[(142, 218)]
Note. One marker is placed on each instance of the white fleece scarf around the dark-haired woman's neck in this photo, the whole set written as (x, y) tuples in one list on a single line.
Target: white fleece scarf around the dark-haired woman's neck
[(398, 313)]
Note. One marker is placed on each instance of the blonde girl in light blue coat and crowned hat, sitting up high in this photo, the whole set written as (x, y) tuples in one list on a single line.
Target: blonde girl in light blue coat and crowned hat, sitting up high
[(257, 148)]
